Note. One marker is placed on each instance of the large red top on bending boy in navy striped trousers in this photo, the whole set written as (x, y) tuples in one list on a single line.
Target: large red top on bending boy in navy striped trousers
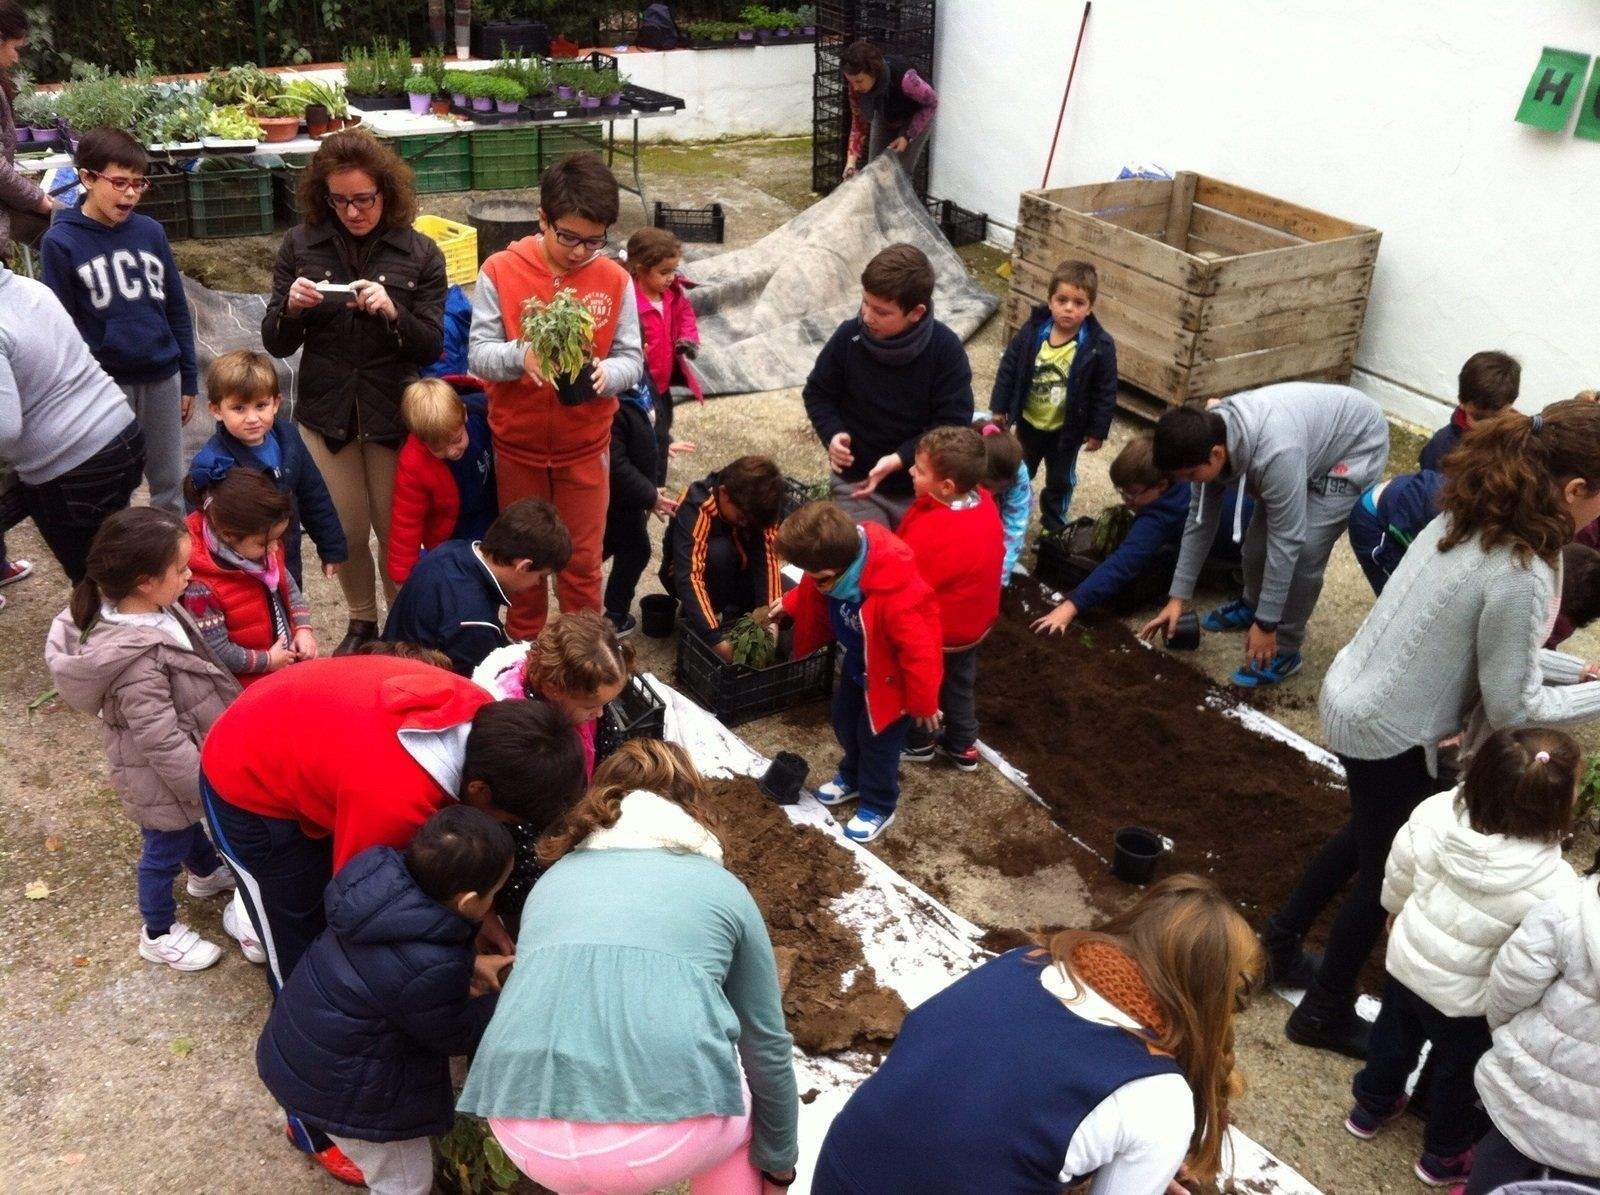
[(321, 743)]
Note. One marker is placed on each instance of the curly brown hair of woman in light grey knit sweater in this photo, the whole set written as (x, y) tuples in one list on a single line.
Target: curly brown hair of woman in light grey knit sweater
[(1503, 482)]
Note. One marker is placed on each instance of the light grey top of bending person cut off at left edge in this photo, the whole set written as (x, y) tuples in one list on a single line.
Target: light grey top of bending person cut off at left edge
[(58, 409)]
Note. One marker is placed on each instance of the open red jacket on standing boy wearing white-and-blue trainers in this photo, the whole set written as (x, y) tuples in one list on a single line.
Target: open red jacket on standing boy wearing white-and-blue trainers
[(900, 617)]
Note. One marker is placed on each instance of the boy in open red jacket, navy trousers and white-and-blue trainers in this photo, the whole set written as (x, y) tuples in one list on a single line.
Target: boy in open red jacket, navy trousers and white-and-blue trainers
[(863, 591)]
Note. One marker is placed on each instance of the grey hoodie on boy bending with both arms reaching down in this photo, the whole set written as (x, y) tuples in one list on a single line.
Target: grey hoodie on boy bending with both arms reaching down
[(1284, 441)]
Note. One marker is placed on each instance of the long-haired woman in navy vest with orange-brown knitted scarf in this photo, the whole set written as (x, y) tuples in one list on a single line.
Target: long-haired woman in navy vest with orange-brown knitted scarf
[(1110, 1052)]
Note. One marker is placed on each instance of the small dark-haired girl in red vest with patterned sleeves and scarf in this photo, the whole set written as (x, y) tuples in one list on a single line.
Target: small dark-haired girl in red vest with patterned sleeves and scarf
[(242, 596)]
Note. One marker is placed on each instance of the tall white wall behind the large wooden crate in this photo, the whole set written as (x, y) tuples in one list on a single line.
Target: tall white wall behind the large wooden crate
[(1386, 113)]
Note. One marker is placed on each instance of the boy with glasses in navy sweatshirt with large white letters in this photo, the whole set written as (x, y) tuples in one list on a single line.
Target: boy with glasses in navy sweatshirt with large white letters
[(114, 273)]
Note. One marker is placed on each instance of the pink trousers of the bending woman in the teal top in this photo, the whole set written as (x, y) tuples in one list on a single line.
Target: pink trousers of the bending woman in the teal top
[(577, 1159)]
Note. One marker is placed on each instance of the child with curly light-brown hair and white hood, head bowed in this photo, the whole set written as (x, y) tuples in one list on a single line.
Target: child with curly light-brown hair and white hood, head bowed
[(578, 666)]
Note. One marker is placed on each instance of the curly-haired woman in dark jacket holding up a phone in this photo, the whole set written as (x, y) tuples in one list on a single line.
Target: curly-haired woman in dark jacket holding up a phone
[(359, 350)]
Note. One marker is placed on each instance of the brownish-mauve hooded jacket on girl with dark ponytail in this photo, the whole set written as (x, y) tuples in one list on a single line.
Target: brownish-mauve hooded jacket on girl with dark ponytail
[(158, 703)]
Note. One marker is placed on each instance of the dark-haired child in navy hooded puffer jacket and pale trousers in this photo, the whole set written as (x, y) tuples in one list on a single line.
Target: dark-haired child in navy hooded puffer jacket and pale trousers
[(361, 1037)]
